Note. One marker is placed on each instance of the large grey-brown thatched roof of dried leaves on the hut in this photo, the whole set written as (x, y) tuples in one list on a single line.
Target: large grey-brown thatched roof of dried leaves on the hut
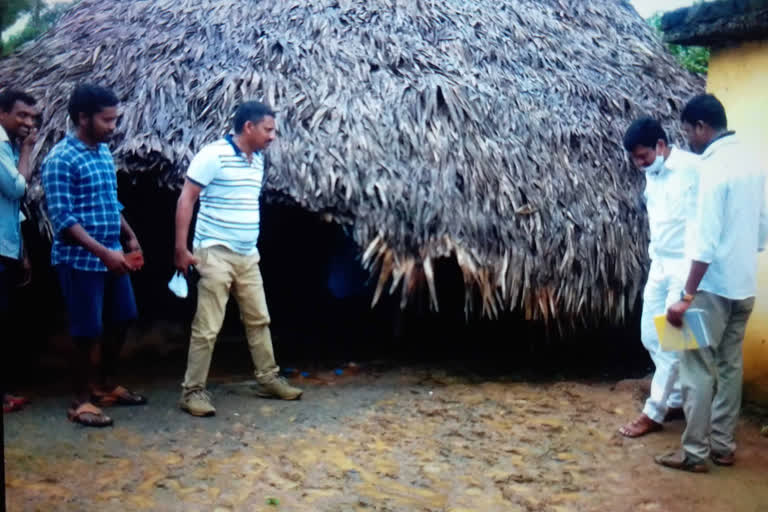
[(485, 131)]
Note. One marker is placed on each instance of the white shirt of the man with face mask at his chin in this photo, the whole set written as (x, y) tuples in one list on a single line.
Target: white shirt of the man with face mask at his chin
[(670, 198)]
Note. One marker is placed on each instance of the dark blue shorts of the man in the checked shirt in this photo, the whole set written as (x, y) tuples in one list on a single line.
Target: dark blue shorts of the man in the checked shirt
[(95, 299)]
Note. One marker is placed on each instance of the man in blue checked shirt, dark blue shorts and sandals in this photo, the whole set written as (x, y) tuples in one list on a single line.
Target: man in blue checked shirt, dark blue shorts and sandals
[(79, 178)]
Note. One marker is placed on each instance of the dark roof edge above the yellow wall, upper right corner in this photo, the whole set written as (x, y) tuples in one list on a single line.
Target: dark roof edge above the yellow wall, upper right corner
[(717, 23)]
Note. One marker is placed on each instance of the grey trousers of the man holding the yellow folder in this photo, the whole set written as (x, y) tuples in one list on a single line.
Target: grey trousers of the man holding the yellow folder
[(711, 378)]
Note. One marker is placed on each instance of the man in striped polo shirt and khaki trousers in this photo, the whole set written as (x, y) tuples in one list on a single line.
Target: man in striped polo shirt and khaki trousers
[(227, 176)]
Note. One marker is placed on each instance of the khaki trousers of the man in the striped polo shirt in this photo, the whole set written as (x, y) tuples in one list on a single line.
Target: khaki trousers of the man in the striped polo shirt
[(223, 271)]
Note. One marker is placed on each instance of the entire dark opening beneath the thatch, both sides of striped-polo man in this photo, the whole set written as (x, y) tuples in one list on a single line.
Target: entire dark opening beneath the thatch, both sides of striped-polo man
[(319, 298)]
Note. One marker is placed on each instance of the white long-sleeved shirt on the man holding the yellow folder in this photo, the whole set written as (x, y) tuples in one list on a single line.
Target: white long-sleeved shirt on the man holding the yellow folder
[(732, 221)]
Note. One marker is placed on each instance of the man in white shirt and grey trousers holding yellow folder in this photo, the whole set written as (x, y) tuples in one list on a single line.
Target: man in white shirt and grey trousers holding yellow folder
[(731, 227)]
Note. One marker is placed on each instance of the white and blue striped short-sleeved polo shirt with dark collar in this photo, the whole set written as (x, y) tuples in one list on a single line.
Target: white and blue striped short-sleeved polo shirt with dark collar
[(229, 201)]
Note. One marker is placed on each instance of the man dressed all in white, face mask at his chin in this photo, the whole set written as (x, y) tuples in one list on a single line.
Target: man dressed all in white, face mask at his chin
[(670, 197)]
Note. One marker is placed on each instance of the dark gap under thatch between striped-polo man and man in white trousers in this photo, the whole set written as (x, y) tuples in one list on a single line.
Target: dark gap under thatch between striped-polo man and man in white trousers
[(320, 298)]
